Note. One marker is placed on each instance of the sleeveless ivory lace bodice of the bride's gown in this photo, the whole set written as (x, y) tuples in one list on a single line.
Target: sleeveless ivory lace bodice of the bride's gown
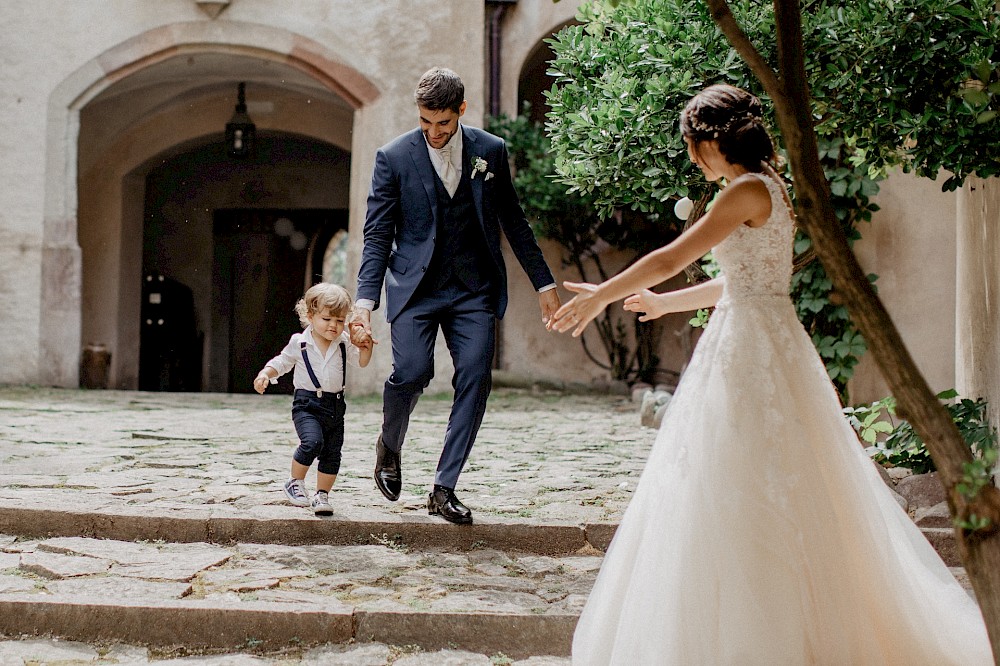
[(757, 261)]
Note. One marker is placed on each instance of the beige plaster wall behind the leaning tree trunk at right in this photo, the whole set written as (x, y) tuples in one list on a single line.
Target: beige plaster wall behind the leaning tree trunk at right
[(911, 246)]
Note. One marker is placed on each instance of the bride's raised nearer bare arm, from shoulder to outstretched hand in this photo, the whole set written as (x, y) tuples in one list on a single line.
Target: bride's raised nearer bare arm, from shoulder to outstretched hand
[(746, 198)]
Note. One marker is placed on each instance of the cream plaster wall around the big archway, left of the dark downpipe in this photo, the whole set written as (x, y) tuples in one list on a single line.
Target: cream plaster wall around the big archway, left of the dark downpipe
[(51, 69)]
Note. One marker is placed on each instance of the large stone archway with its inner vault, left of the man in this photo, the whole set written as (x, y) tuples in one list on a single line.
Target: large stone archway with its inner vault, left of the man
[(153, 95)]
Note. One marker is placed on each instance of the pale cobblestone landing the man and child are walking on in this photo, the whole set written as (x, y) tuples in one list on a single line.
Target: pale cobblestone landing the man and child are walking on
[(540, 457)]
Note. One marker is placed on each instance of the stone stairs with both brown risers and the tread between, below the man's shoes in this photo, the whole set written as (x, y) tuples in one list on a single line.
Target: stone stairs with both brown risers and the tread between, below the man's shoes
[(508, 589)]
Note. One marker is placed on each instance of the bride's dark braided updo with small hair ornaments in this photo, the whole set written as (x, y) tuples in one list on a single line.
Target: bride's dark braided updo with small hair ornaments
[(734, 118)]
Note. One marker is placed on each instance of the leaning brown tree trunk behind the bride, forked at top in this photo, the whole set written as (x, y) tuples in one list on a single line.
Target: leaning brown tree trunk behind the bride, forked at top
[(979, 550)]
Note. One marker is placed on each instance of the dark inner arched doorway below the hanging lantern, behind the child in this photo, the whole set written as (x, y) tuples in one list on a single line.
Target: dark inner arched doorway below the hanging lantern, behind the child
[(223, 265)]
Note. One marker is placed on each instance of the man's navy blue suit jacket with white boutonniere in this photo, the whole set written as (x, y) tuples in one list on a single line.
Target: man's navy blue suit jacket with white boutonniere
[(401, 224)]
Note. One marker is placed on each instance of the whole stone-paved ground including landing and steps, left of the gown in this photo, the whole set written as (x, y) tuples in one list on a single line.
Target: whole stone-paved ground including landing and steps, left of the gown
[(543, 461)]
